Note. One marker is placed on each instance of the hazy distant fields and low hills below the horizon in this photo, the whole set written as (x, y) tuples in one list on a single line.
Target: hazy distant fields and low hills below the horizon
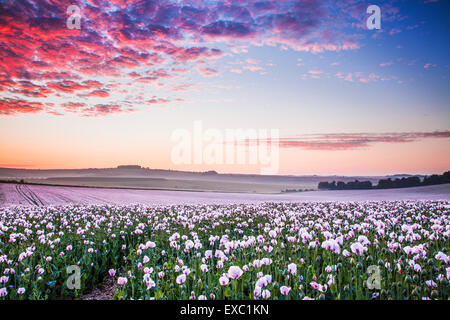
[(154, 179)]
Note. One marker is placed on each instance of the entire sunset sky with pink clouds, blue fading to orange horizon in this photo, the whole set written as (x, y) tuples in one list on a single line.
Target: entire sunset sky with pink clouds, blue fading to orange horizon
[(344, 99)]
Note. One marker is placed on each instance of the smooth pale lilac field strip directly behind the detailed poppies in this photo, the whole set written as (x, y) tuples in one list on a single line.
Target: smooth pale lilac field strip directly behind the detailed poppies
[(17, 194)]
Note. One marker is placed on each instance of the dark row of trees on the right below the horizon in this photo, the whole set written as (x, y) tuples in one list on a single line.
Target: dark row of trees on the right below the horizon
[(389, 183)]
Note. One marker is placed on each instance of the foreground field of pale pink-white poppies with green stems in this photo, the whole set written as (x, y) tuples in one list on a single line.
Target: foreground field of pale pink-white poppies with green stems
[(315, 250)]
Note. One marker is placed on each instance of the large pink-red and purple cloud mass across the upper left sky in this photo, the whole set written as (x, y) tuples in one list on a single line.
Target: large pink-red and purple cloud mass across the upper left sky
[(42, 60)]
